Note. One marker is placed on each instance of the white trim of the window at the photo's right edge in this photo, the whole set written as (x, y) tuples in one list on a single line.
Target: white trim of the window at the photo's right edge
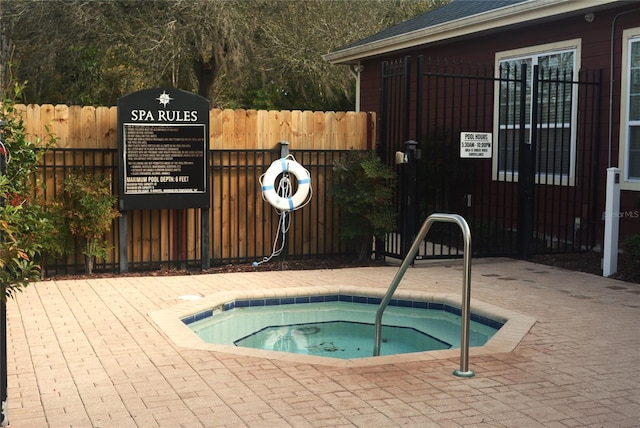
[(628, 35)]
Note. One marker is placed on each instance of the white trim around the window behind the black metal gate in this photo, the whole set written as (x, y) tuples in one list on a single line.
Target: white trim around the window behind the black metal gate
[(564, 180)]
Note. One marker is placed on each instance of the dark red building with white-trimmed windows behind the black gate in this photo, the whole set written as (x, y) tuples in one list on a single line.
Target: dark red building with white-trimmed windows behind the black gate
[(555, 85)]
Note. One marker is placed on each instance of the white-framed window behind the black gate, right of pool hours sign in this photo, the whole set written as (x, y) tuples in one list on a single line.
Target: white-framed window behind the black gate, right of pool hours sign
[(554, 115)]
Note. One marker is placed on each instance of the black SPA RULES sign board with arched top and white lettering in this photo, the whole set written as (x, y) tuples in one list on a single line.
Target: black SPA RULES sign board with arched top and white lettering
[(163, 148)]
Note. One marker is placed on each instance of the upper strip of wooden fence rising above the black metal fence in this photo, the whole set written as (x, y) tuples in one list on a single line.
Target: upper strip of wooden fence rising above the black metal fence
[(96, 128)]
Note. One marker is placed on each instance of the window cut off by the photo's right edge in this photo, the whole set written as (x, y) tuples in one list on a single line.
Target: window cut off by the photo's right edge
[(629, 159)]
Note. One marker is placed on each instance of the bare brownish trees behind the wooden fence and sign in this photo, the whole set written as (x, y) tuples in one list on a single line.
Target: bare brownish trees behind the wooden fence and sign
[(237, 53)]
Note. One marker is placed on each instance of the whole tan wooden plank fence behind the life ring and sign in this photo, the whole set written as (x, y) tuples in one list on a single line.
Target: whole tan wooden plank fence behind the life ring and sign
[(243, 144)]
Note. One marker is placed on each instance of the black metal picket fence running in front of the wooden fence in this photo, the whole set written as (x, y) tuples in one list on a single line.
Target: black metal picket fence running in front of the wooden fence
[(243, 227)]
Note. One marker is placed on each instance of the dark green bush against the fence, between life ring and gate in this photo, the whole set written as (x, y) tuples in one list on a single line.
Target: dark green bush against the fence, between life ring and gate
[(363, 191)]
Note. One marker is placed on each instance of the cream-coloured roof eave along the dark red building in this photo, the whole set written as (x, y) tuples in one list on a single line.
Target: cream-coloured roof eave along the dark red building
[(502, 17)]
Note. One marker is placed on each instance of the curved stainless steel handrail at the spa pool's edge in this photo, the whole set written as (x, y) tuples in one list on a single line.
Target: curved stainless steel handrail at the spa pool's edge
[(466, 286)]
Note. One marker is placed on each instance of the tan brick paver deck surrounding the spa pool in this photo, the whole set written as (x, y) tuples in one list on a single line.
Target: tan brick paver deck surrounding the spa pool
[(87, 353)]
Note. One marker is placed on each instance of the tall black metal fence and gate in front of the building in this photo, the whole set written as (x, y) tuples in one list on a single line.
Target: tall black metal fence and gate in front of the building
[(536, 193)]
